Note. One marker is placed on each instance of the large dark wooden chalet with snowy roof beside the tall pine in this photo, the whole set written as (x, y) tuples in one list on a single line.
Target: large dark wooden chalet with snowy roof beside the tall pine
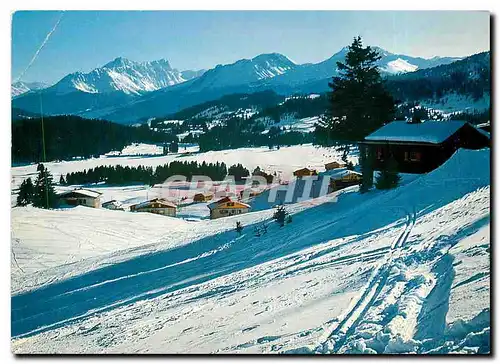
[(420, 147)]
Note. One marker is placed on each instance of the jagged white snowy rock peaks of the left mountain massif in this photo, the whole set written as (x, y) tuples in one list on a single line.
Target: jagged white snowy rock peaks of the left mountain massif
[(123, 75)]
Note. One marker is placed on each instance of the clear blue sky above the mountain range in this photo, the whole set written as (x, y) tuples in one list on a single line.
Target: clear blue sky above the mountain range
[(84, 40)]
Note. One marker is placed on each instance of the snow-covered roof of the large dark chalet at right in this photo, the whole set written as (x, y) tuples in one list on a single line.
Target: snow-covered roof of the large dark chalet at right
[(430, 131)]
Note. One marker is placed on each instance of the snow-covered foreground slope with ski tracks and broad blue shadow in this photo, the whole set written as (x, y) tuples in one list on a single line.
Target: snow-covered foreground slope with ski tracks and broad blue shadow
[(398, 280)]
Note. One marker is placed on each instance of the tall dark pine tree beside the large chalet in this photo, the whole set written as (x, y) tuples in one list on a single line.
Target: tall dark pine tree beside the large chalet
[(358, 101)]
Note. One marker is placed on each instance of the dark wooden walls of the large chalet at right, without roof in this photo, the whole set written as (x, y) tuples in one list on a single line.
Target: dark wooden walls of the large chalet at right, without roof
[(422, 157)]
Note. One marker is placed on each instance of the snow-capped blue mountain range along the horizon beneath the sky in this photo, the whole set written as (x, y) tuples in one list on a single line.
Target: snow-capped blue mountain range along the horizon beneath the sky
[(126, 91)]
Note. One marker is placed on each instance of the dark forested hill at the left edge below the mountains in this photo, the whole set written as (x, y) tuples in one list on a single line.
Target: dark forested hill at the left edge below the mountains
[(72, 136)]
